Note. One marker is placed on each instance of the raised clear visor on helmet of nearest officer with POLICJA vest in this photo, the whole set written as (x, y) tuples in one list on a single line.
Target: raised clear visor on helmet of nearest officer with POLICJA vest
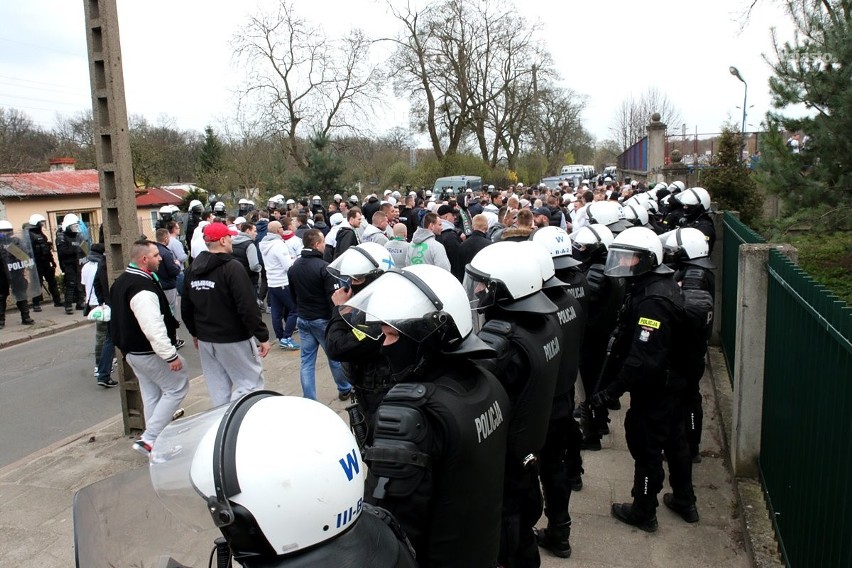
[(417, 319)]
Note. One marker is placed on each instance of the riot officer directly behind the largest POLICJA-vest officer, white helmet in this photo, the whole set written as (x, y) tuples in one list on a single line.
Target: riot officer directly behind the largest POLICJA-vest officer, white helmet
[(504, 284)]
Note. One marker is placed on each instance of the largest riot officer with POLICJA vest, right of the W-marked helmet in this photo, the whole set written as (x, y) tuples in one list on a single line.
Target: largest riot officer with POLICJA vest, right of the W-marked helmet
[(440, 434)]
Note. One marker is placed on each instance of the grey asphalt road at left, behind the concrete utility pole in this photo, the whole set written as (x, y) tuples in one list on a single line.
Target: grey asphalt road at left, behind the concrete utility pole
[(48, 391)]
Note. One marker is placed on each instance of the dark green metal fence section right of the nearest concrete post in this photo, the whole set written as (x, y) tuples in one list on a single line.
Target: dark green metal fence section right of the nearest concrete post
[(806, 446)]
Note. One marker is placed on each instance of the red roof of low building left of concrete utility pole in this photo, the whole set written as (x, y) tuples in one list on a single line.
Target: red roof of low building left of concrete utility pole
[(49, 184)]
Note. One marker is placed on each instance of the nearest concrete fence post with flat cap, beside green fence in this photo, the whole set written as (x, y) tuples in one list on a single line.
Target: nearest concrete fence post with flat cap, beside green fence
[(749, 354)]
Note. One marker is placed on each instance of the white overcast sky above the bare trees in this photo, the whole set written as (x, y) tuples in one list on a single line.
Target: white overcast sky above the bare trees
[(177, 55)]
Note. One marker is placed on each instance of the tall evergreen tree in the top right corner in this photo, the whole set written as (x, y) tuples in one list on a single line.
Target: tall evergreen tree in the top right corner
[(815, 69)]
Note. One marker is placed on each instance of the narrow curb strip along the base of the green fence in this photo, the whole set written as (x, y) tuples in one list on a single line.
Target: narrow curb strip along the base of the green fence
[(759, 534)]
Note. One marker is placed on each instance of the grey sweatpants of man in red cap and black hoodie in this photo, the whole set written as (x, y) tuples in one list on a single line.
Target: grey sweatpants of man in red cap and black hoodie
[(229, 367)]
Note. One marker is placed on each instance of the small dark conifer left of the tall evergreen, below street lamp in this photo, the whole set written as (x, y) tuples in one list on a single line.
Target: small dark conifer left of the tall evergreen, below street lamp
[(729, 181)]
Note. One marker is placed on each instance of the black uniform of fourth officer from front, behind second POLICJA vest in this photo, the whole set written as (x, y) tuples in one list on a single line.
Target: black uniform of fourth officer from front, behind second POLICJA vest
[(560, 456)]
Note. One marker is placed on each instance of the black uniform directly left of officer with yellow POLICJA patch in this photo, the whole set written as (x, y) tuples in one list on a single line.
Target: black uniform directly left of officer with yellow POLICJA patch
[(605, 297)]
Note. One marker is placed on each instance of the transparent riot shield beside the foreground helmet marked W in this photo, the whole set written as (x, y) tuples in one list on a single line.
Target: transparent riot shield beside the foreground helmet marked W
[(119, 521)]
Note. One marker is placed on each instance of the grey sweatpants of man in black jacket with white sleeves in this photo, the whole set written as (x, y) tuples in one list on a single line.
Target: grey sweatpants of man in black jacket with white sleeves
[(163, 391)]
